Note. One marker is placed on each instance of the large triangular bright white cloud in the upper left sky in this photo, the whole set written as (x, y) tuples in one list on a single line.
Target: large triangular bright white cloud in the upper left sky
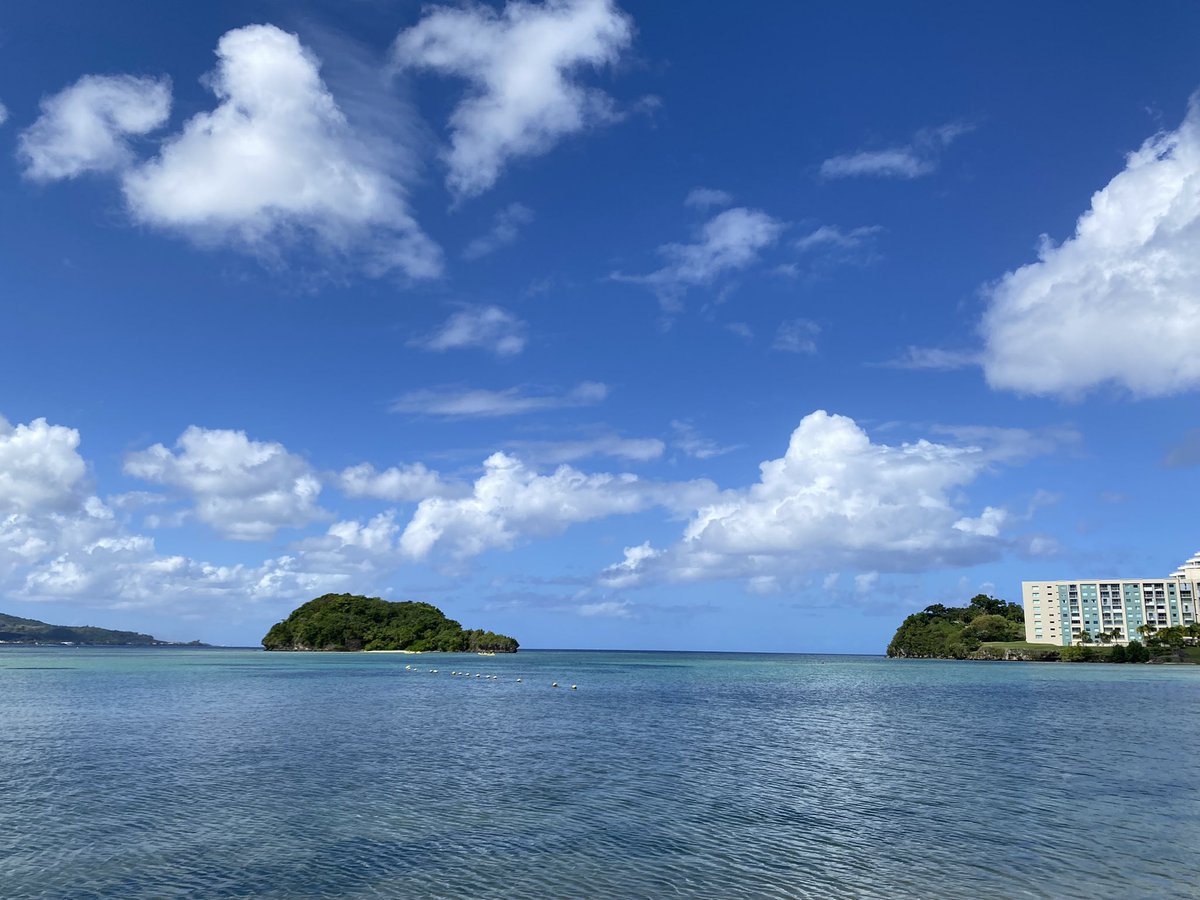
[(278, 158)]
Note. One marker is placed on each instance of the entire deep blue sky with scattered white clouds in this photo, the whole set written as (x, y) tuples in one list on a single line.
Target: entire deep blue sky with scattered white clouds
[(601, 326)]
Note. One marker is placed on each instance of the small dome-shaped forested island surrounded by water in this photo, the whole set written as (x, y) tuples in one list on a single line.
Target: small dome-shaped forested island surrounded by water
[(349, 622)]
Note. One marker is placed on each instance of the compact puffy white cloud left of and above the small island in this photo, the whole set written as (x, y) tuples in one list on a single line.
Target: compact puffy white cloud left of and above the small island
[(247, 490)]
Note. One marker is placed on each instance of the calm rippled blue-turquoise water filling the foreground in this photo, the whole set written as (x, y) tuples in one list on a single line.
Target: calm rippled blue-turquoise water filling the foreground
[(238, 773)]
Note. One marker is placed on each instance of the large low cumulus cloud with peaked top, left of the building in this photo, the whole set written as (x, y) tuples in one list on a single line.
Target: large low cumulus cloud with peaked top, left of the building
[(836, 499)]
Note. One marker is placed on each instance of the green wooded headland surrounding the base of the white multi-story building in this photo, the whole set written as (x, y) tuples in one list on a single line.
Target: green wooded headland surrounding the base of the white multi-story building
[(993, 629)]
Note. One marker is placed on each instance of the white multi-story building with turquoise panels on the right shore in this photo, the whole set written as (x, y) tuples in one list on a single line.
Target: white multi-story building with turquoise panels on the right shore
[(1059, 611)]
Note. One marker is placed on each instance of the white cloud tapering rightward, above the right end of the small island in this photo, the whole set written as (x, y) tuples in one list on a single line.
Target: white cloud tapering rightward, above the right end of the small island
[(512, 502)]
